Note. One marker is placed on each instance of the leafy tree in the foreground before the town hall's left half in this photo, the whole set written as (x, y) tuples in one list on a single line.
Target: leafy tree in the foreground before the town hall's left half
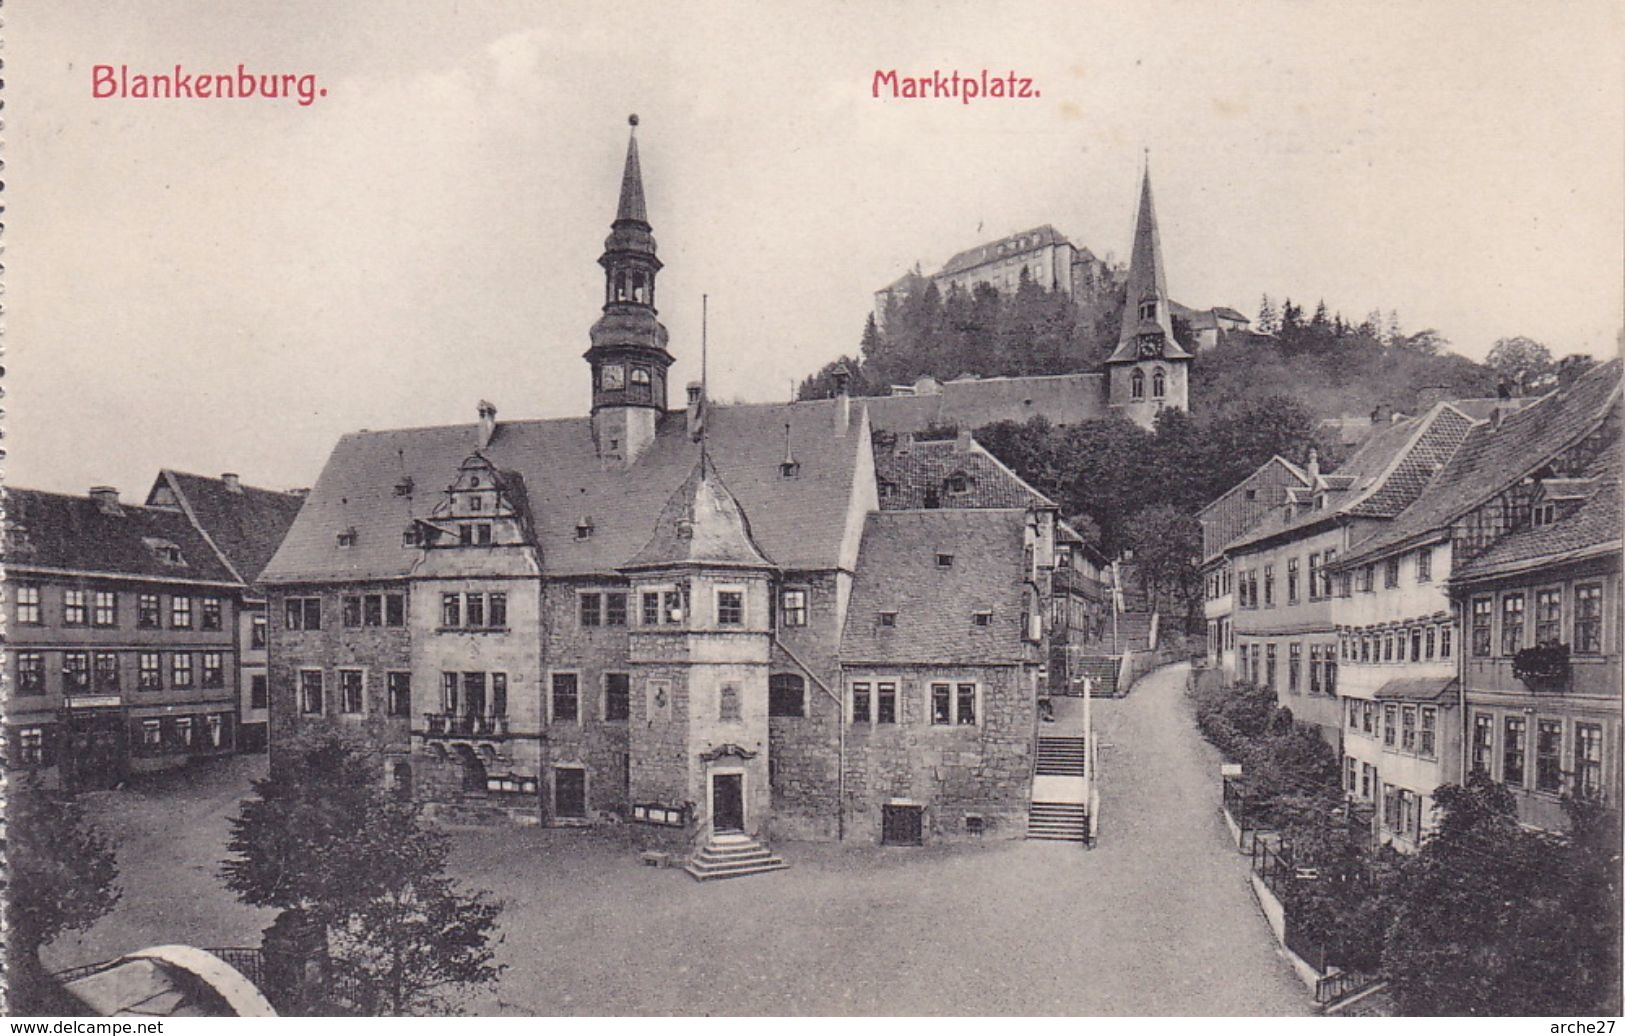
[(326, 840)]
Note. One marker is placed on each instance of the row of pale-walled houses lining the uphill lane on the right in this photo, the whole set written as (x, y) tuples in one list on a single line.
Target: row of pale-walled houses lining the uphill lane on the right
[(1445, 602)]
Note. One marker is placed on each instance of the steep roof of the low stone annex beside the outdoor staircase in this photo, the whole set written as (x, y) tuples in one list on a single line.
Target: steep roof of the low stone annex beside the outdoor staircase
[(898, 572)]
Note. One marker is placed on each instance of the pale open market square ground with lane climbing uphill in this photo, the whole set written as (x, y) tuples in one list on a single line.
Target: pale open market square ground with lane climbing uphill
[(1156, 922)]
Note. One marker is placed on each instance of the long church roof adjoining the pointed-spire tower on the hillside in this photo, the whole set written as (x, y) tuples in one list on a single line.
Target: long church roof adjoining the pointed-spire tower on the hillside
[(971, 404)]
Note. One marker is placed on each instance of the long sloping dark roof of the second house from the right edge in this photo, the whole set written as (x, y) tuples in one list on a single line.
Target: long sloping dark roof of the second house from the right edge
[(1493, 459)]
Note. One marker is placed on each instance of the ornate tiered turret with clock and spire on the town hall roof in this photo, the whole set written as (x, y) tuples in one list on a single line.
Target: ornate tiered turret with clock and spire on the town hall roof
[(630, 360)]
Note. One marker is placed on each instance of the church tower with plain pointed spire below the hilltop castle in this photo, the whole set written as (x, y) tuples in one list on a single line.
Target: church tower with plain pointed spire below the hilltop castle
[(1148, 371)]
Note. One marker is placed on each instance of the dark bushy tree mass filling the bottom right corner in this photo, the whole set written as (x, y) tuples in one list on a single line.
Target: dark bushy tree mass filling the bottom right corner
[(1499, 920)]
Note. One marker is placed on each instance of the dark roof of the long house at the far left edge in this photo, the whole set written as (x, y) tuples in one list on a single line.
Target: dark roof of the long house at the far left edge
[(59, 532)]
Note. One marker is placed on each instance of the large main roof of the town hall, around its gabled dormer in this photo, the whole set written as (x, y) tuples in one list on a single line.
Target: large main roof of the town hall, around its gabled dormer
[(799, 522)]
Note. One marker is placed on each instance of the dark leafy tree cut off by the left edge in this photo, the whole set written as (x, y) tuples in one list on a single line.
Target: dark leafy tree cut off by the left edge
[(61, 876)]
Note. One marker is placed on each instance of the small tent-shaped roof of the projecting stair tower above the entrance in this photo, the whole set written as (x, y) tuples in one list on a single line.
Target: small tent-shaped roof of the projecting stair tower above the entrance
[(701, 525)]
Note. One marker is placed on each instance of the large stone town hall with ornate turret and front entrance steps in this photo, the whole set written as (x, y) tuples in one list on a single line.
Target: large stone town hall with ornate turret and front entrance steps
[(716, 619)]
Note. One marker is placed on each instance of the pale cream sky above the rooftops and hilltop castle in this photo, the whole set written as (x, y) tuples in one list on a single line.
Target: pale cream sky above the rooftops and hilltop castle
[(230, 285)]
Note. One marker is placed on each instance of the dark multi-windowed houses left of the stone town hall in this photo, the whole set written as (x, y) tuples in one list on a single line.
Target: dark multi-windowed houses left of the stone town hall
[(137, 637)]
